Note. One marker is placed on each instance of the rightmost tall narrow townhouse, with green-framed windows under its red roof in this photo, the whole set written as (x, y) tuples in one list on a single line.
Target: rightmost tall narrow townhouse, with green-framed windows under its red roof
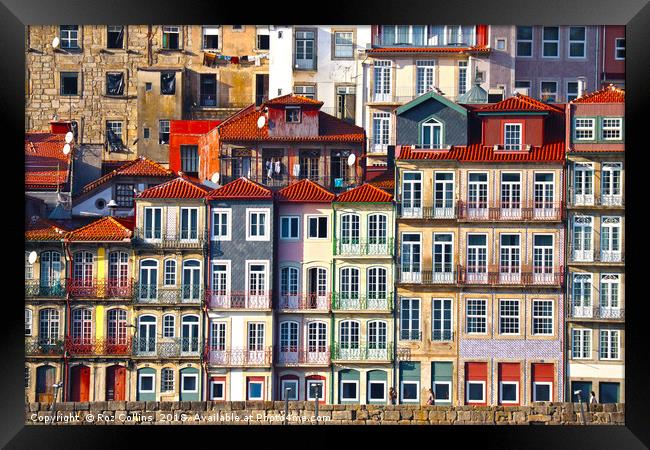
[(595, 314)]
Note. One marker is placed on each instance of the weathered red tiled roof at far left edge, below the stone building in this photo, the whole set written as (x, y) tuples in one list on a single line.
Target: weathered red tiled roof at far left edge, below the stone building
[(45, 164)]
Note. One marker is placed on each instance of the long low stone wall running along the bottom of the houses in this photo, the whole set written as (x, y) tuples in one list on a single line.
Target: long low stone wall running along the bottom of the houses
[(272, 413)]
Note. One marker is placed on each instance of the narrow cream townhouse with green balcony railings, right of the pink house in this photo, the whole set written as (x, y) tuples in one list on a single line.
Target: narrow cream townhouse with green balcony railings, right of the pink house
[(362, 300)]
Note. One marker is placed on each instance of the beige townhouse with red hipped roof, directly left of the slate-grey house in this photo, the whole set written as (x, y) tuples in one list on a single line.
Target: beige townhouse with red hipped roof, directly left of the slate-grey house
[(169, 243)]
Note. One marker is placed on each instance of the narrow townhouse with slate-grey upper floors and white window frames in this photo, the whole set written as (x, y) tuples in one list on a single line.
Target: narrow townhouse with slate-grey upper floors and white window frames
[(239, 297)]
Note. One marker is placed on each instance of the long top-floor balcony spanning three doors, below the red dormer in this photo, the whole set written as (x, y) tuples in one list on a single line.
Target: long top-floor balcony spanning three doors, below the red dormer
[(510, 212)]
